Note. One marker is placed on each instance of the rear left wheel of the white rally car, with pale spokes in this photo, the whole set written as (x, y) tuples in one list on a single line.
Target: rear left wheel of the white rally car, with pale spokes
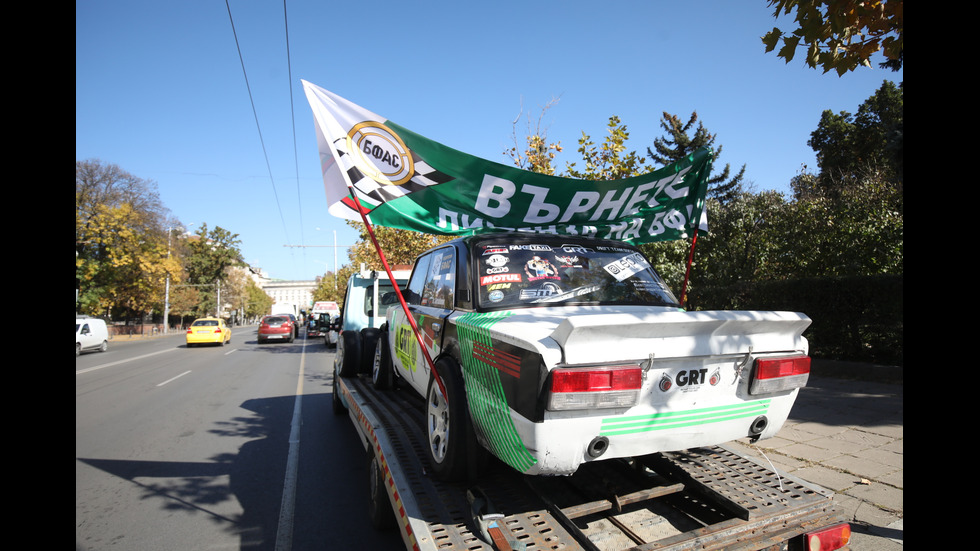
[(448, 428)]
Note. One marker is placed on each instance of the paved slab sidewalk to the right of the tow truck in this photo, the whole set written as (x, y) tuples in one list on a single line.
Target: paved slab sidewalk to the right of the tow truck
[(847, 435)]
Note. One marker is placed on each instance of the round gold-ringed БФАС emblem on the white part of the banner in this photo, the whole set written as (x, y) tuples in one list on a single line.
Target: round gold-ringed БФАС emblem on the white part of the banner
[(380, 154)]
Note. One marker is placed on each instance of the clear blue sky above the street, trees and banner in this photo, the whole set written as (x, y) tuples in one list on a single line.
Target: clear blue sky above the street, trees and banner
[(160, 91)]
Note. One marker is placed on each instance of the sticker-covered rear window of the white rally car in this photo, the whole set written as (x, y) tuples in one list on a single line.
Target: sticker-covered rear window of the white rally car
[(527, 275)]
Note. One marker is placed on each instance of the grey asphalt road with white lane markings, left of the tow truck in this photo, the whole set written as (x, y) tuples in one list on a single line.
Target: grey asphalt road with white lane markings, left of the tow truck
[(232, 447)]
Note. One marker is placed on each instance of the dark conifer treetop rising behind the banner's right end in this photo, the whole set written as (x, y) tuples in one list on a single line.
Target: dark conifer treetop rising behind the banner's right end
[(677, 144)]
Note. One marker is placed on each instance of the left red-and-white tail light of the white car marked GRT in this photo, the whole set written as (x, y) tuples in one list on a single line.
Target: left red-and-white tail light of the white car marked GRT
[(594, 387)]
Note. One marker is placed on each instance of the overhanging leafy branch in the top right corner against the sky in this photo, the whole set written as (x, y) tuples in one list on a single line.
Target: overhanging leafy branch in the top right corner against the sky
[(840, 35)]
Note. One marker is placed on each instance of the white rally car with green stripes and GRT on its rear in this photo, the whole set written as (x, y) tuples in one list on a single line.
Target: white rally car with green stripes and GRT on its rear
[(554, 351)]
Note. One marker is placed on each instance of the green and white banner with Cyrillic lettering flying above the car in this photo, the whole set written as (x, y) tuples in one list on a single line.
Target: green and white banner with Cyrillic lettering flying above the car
[(405, 181)]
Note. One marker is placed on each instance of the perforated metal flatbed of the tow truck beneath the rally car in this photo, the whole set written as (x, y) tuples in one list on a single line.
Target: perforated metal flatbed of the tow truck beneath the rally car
[(699, 499)]
